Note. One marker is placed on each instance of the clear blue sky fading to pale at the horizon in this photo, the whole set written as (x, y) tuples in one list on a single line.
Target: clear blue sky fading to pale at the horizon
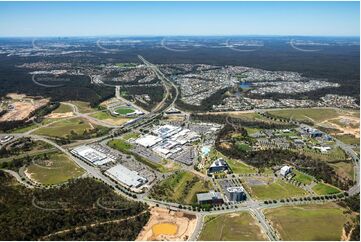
[(36, 19)]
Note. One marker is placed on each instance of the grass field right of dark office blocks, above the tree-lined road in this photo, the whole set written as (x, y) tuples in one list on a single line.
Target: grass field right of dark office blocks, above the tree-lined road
[(275, 190)]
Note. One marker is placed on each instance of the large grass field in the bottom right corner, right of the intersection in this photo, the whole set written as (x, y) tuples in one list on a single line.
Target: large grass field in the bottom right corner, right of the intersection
[(308, 222)]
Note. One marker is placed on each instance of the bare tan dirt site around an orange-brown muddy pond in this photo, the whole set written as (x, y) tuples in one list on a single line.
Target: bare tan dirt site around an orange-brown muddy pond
[(165, 224)]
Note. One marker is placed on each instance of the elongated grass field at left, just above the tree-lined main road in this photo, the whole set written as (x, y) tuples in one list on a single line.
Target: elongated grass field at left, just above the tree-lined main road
[(65, 128)]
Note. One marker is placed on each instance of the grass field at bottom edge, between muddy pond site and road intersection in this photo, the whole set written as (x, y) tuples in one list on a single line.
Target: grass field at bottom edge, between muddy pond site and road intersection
[(232, 227)]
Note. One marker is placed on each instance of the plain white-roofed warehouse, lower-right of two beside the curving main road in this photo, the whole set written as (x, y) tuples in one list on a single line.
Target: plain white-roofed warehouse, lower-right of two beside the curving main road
[(125, 176)]
